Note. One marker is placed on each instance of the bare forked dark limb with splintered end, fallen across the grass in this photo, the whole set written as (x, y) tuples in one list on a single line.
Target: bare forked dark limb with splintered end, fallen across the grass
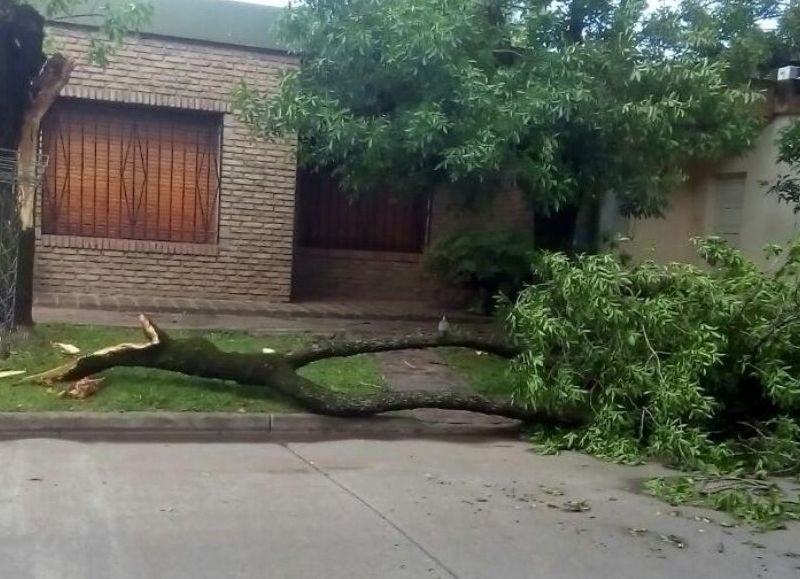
[(278, 372)]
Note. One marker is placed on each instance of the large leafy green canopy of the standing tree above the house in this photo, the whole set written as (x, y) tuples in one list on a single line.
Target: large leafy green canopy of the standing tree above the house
[(569, 100)]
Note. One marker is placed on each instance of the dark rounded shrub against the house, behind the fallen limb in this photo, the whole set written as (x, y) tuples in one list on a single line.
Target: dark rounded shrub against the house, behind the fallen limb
[(486, 263)]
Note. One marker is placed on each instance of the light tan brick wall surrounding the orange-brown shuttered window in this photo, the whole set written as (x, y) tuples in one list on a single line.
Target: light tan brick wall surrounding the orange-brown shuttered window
[(253, 257)]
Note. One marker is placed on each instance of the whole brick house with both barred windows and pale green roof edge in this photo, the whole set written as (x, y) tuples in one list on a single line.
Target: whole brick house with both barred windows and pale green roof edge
[(154, 188)]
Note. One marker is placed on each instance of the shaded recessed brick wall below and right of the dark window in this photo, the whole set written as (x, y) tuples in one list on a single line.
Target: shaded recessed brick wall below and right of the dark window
[(336, 273)]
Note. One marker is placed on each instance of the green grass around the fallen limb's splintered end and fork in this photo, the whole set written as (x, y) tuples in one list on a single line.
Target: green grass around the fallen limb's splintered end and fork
[(140, 389)]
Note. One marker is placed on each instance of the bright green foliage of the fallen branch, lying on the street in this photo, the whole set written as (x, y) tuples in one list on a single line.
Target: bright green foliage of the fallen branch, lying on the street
[(696, 366)]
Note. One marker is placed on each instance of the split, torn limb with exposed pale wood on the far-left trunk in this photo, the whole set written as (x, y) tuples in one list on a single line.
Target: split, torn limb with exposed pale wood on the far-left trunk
[(53, 77)]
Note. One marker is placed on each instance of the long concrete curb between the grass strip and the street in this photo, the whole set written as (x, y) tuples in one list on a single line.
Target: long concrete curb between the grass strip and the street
[(231, 424)]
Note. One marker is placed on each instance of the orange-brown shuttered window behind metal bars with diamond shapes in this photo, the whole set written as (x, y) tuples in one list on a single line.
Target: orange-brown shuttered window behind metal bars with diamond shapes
[(131, 172)]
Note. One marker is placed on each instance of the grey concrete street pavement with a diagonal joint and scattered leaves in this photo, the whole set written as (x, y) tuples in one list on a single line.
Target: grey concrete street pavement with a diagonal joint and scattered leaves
[(351, 509)]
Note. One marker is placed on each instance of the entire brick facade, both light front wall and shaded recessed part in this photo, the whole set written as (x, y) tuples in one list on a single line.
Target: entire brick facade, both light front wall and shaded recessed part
[(254, 258)]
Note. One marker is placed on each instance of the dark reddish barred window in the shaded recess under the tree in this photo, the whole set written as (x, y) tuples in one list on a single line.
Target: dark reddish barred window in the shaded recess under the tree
[(329, 218)]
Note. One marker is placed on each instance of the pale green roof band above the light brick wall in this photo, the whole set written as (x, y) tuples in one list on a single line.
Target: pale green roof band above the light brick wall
[(220, 21)]
